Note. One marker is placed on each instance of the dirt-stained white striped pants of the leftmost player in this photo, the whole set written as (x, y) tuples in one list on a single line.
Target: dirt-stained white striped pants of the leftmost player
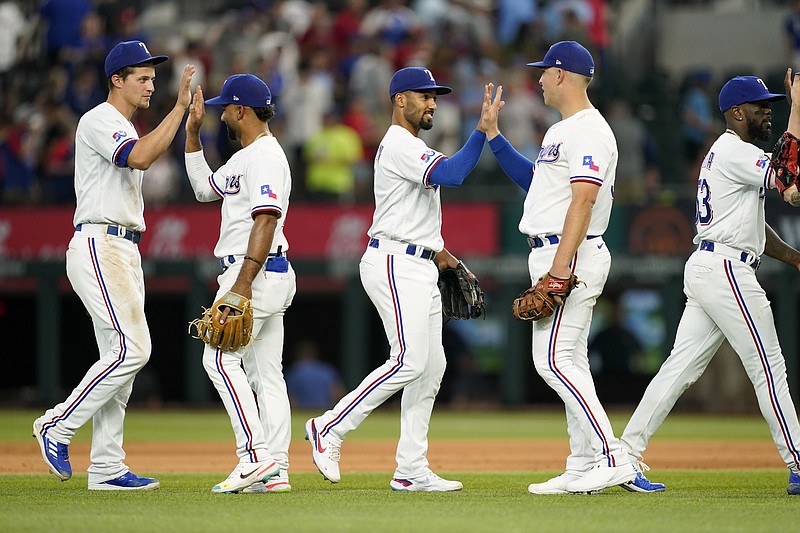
[(106, 273)]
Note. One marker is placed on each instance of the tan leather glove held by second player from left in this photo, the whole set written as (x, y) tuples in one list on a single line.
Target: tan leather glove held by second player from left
[(237, 329)]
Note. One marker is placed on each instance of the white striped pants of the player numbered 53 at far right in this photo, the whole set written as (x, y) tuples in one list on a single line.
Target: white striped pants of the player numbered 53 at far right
[(724, 301)]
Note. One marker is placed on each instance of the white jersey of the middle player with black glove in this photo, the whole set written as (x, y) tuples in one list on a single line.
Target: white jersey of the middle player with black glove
[(407, 208)]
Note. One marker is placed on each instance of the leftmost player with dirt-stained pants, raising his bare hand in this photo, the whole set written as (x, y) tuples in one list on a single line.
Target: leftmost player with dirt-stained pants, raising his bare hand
[(104, 265)]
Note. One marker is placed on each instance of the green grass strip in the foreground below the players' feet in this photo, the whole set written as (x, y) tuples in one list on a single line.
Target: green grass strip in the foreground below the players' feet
[(497, 502)]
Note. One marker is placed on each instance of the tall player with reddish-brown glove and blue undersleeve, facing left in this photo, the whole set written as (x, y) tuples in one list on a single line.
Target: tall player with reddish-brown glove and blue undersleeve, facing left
[(568, 204)]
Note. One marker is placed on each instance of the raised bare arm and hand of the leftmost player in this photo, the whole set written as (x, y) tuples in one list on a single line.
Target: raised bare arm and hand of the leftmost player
[(153, 145)]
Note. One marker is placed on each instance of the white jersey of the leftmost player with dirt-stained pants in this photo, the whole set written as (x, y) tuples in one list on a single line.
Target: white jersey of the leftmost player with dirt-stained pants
[(106, 193)]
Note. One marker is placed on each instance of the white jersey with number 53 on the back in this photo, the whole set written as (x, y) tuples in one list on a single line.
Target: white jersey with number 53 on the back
[(728, 211)]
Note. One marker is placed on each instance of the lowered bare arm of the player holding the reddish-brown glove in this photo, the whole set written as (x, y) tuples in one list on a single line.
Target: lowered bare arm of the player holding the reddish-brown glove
[(576, 224)]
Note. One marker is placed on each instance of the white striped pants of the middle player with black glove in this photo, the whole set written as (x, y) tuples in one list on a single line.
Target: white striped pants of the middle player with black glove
[(404, 290)]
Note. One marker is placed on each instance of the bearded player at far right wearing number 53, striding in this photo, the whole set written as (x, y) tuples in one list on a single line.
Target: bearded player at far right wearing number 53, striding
[(724, 297)]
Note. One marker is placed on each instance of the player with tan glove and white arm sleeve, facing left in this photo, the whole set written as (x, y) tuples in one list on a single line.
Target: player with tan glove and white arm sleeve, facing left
[(254, 187)]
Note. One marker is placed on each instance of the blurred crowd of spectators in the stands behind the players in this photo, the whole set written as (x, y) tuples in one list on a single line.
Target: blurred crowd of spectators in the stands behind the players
[(327, 63)]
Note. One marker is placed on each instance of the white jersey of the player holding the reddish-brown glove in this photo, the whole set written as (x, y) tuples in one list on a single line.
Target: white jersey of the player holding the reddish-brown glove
[(581, 148)]
